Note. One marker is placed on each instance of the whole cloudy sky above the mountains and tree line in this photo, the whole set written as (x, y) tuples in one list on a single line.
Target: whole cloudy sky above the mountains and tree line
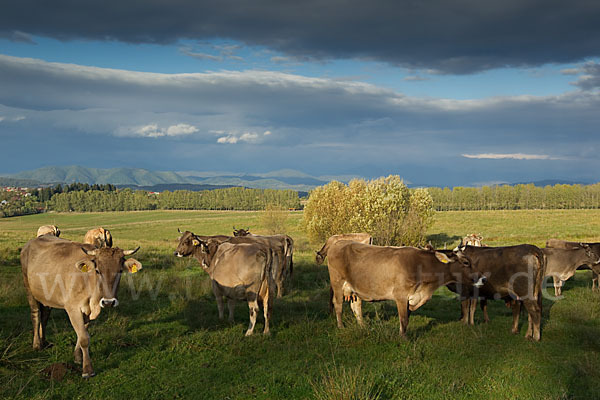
[(440, 92)]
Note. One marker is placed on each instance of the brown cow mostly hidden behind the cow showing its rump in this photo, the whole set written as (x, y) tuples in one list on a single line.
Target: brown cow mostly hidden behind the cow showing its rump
[(284, 270)]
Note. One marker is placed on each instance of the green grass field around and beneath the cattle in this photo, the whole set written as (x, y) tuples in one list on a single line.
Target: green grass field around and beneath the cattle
[(166, 341)]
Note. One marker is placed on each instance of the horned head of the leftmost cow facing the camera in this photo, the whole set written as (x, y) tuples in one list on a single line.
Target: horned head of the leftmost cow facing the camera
[(104, 266)]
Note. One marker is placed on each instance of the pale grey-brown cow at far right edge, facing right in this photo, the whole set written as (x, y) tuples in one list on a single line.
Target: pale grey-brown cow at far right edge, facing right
[(562, 263)]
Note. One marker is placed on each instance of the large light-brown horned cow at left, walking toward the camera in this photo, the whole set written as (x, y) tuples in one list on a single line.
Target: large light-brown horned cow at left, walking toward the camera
[(76, 277)]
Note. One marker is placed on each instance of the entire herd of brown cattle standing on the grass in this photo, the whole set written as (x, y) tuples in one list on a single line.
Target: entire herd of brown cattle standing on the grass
[(255, 269)]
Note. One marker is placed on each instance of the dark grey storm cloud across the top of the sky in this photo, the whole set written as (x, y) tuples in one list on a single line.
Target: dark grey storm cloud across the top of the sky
[(448, 36)]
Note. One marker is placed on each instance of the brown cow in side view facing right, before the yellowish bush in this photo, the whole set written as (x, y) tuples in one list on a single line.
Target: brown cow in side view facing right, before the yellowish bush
[(407, 275)]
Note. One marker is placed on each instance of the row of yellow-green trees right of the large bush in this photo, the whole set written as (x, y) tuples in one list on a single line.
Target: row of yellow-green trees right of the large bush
[(517, 197)]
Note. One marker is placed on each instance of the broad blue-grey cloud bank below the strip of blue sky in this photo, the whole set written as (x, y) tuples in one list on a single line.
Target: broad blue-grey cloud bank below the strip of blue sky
[(318, 125)]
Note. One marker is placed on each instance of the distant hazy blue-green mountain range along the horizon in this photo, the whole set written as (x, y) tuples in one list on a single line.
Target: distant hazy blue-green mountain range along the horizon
[(190, 180)]
